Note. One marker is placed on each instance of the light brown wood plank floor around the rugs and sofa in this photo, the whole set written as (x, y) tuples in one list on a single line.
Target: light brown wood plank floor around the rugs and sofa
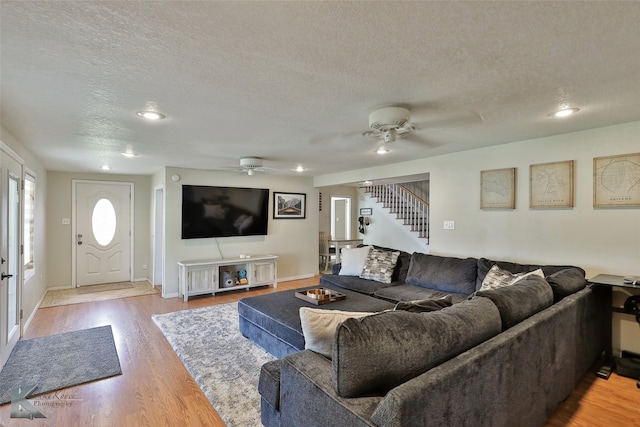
[(156, 390)]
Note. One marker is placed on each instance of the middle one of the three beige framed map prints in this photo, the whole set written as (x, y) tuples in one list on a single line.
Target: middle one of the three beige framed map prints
[(551, 185)]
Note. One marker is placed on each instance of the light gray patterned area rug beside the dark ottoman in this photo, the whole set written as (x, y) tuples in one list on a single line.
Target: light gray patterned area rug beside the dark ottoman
[(223, 363)]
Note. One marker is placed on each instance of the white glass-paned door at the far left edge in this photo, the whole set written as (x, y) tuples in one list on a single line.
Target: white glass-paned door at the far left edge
[(10, 268)]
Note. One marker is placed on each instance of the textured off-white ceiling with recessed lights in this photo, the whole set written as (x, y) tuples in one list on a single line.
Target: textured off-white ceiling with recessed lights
[(294, 82)]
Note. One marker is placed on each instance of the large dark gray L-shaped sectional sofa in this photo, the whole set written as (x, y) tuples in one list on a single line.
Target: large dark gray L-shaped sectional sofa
[(500, 357)]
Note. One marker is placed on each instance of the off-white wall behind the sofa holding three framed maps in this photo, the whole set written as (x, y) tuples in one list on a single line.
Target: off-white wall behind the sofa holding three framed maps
[(599, 240)]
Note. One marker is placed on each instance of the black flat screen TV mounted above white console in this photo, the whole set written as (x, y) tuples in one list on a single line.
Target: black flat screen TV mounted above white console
[(223, 211)]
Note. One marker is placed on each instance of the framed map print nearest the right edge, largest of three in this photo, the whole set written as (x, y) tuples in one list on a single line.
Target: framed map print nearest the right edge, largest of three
[(616, 180)]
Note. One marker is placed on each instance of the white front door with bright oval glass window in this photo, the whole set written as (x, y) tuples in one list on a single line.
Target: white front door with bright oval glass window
[(102, 232)]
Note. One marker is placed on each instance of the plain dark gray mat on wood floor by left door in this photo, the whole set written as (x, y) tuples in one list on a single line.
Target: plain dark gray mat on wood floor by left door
[(60, 361)]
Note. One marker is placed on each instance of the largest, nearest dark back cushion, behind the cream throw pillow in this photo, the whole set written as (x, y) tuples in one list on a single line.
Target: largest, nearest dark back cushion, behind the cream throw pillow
[(376, 353)]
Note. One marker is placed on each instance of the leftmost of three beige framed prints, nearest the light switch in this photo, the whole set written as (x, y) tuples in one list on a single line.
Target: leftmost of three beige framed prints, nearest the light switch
[(498, 189)]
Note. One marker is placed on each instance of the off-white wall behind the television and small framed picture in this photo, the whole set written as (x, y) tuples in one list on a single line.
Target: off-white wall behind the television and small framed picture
[(295, 241)]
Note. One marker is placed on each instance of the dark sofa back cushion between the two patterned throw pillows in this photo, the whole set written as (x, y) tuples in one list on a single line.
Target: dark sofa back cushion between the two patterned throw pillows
[(446, 274)]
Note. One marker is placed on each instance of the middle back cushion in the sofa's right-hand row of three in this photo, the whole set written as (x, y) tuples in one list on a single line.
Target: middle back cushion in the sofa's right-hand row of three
[(521, 300)]
